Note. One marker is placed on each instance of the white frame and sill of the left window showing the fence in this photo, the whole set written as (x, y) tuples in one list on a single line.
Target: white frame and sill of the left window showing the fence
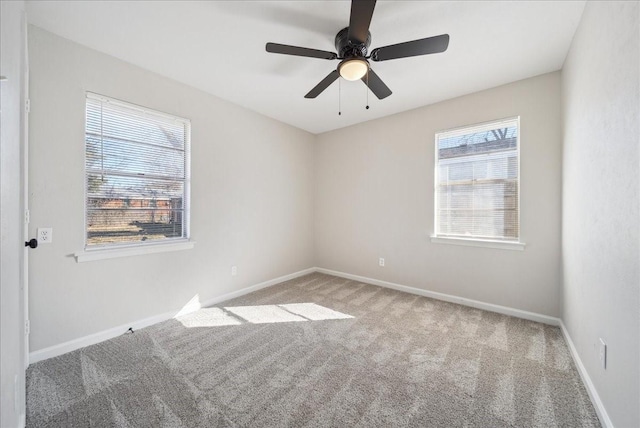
[(116, 250)]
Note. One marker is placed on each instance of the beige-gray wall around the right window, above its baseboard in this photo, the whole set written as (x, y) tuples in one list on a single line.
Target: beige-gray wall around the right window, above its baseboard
[(374, 198)]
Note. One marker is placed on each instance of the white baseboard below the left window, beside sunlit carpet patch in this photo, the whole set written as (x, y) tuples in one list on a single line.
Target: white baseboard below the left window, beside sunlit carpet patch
[(81, 342)]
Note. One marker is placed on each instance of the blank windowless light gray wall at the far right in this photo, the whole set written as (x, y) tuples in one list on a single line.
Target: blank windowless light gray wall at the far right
[(600, 201)]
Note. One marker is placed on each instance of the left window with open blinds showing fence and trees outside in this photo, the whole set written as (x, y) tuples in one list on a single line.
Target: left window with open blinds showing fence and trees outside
[(137, 174)]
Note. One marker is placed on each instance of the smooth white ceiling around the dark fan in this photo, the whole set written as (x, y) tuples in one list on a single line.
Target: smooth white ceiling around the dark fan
[(219, 47)]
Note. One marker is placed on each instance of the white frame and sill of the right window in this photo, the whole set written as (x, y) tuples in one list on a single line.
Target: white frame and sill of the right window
[(474, 241)]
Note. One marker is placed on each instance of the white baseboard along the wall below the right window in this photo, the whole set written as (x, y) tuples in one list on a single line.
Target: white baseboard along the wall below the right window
[(532, 316)]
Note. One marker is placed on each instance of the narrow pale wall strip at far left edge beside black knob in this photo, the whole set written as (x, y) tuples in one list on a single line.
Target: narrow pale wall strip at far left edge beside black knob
[(12, 362)]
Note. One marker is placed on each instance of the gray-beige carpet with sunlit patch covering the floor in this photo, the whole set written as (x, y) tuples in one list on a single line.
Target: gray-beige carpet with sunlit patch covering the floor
[(318, 351)]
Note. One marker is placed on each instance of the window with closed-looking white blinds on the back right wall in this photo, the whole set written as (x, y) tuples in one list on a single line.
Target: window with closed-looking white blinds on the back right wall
[(477, 189)]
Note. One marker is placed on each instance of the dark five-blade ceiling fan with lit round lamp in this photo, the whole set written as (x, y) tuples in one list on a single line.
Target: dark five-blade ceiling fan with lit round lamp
[(352, 44)]
